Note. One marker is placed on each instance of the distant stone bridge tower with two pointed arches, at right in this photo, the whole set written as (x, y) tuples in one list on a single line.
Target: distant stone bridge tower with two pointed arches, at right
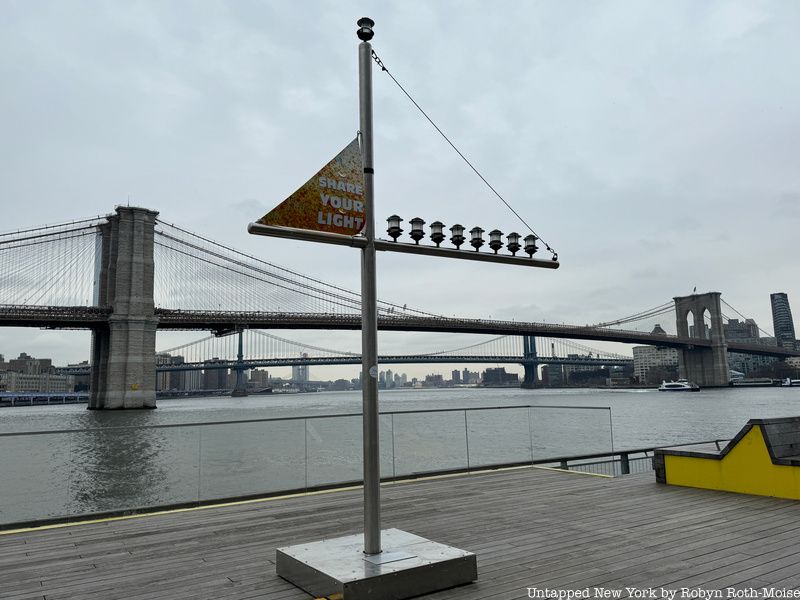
[(707, 367)]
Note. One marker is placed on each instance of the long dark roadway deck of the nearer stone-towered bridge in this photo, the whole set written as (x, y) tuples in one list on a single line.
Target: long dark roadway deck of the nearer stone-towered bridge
[(88, 317)]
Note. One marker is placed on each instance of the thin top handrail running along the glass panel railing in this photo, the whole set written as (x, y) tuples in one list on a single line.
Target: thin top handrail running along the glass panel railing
[(290, 418)]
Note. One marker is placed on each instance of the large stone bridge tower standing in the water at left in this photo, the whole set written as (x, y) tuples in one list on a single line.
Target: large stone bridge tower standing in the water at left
[(123, 350)]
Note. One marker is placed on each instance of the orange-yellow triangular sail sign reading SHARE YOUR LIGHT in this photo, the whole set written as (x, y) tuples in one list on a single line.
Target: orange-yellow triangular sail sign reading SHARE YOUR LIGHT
[(332, 200)]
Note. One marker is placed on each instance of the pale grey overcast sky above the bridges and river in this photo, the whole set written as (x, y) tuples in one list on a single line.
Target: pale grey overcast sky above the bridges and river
[(653, 144)]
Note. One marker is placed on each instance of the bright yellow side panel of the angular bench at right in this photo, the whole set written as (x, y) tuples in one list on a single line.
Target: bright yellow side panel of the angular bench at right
[(746, 469)]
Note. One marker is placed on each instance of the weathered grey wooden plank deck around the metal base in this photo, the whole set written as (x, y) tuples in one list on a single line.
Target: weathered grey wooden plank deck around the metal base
[(529, 527)]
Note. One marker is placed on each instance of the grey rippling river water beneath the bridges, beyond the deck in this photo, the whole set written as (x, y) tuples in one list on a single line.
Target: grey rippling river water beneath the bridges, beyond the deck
[(101, 468)]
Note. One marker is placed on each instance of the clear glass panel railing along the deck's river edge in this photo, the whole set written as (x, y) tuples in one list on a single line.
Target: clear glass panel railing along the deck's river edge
[(53, 475)]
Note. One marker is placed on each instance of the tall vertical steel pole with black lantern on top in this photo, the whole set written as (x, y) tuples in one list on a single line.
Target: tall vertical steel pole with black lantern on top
[(369, 311)]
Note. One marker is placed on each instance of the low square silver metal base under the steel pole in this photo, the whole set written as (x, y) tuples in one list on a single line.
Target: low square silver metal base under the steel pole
[(408, 566)]
